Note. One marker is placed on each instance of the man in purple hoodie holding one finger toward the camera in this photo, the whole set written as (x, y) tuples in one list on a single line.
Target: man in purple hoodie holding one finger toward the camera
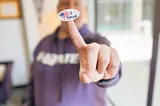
[(73, 66)]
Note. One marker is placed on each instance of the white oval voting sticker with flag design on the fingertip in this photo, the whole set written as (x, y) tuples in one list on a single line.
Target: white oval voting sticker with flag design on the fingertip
[(68, 14)]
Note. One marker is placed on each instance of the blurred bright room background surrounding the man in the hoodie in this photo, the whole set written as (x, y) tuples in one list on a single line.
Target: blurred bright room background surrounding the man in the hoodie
[(132, 26)]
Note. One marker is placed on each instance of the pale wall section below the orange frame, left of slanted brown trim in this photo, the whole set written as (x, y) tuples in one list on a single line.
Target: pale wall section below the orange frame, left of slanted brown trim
[(12, 48)]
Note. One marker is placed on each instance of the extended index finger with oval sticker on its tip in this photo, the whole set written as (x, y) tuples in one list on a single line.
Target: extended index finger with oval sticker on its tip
[(75, 36)]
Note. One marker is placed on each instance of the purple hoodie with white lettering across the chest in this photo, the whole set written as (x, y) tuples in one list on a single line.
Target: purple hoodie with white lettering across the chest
[(55, 74)]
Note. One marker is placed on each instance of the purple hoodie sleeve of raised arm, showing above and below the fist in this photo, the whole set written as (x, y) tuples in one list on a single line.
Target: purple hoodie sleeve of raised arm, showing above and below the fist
[(102, 40)]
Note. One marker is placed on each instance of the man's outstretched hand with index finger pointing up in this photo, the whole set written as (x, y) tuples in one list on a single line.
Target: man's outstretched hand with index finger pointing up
[(96, 61)]
